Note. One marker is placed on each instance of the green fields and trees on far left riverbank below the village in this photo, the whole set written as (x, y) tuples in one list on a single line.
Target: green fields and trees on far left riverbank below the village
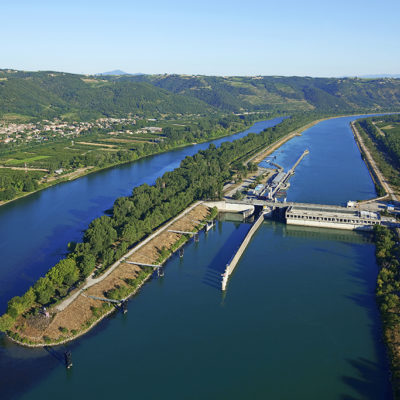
[(96, 149)]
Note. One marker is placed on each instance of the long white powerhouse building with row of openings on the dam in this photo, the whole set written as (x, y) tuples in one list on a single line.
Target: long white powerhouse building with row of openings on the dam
[(331, 217)]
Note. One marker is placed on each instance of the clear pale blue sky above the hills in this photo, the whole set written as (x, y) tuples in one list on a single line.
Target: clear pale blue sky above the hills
[(219, 37)]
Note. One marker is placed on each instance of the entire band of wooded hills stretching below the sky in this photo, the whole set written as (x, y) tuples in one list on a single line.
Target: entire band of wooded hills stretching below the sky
[(49, 94)]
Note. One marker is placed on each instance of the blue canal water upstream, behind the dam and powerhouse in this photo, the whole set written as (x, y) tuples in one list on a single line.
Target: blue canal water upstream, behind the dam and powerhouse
[(333, 172)]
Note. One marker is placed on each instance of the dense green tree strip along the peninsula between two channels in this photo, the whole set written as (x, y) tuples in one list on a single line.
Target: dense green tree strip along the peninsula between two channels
[(107, 238)]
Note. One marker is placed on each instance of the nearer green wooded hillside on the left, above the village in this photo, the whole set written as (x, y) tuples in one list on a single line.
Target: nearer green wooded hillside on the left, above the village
[(53, 94)]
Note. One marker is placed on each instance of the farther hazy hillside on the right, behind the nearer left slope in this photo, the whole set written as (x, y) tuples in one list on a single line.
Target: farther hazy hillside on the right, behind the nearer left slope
[(282, 93)]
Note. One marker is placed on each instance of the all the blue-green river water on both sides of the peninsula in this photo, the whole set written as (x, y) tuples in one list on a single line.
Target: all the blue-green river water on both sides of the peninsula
[(298, 320)]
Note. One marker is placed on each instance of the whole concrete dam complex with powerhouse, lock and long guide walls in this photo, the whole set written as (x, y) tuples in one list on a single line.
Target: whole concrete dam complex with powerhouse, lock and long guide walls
[(263, 203)]
